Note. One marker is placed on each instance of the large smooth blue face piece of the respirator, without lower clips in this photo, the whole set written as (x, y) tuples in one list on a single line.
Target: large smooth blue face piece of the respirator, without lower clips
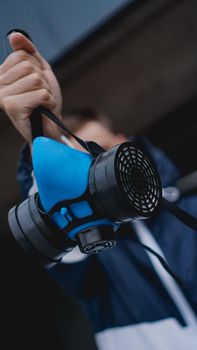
[(61, 172)]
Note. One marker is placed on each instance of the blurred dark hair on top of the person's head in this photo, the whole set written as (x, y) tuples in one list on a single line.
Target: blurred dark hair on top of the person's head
[(74, 119)]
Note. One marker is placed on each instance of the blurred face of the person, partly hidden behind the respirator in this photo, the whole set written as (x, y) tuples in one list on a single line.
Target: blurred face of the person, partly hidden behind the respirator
[(95, 131)]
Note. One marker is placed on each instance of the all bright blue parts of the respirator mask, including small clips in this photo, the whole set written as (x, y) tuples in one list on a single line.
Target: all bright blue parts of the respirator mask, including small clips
[(61, 174)]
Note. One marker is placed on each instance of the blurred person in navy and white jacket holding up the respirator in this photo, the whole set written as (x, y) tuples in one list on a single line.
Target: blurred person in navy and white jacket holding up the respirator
[(130, 299)]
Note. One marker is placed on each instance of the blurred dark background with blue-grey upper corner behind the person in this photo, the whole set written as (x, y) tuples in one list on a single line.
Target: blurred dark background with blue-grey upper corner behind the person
[(134, 60)]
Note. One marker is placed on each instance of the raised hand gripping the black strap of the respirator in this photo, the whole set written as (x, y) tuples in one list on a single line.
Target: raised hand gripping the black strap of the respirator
[(26, 82)]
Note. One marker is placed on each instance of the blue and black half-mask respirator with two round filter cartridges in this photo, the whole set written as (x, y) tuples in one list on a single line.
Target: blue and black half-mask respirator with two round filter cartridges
[(83, 197)]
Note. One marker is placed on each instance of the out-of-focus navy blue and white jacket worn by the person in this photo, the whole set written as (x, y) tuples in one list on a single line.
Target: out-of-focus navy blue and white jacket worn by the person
[(123, 295)]
